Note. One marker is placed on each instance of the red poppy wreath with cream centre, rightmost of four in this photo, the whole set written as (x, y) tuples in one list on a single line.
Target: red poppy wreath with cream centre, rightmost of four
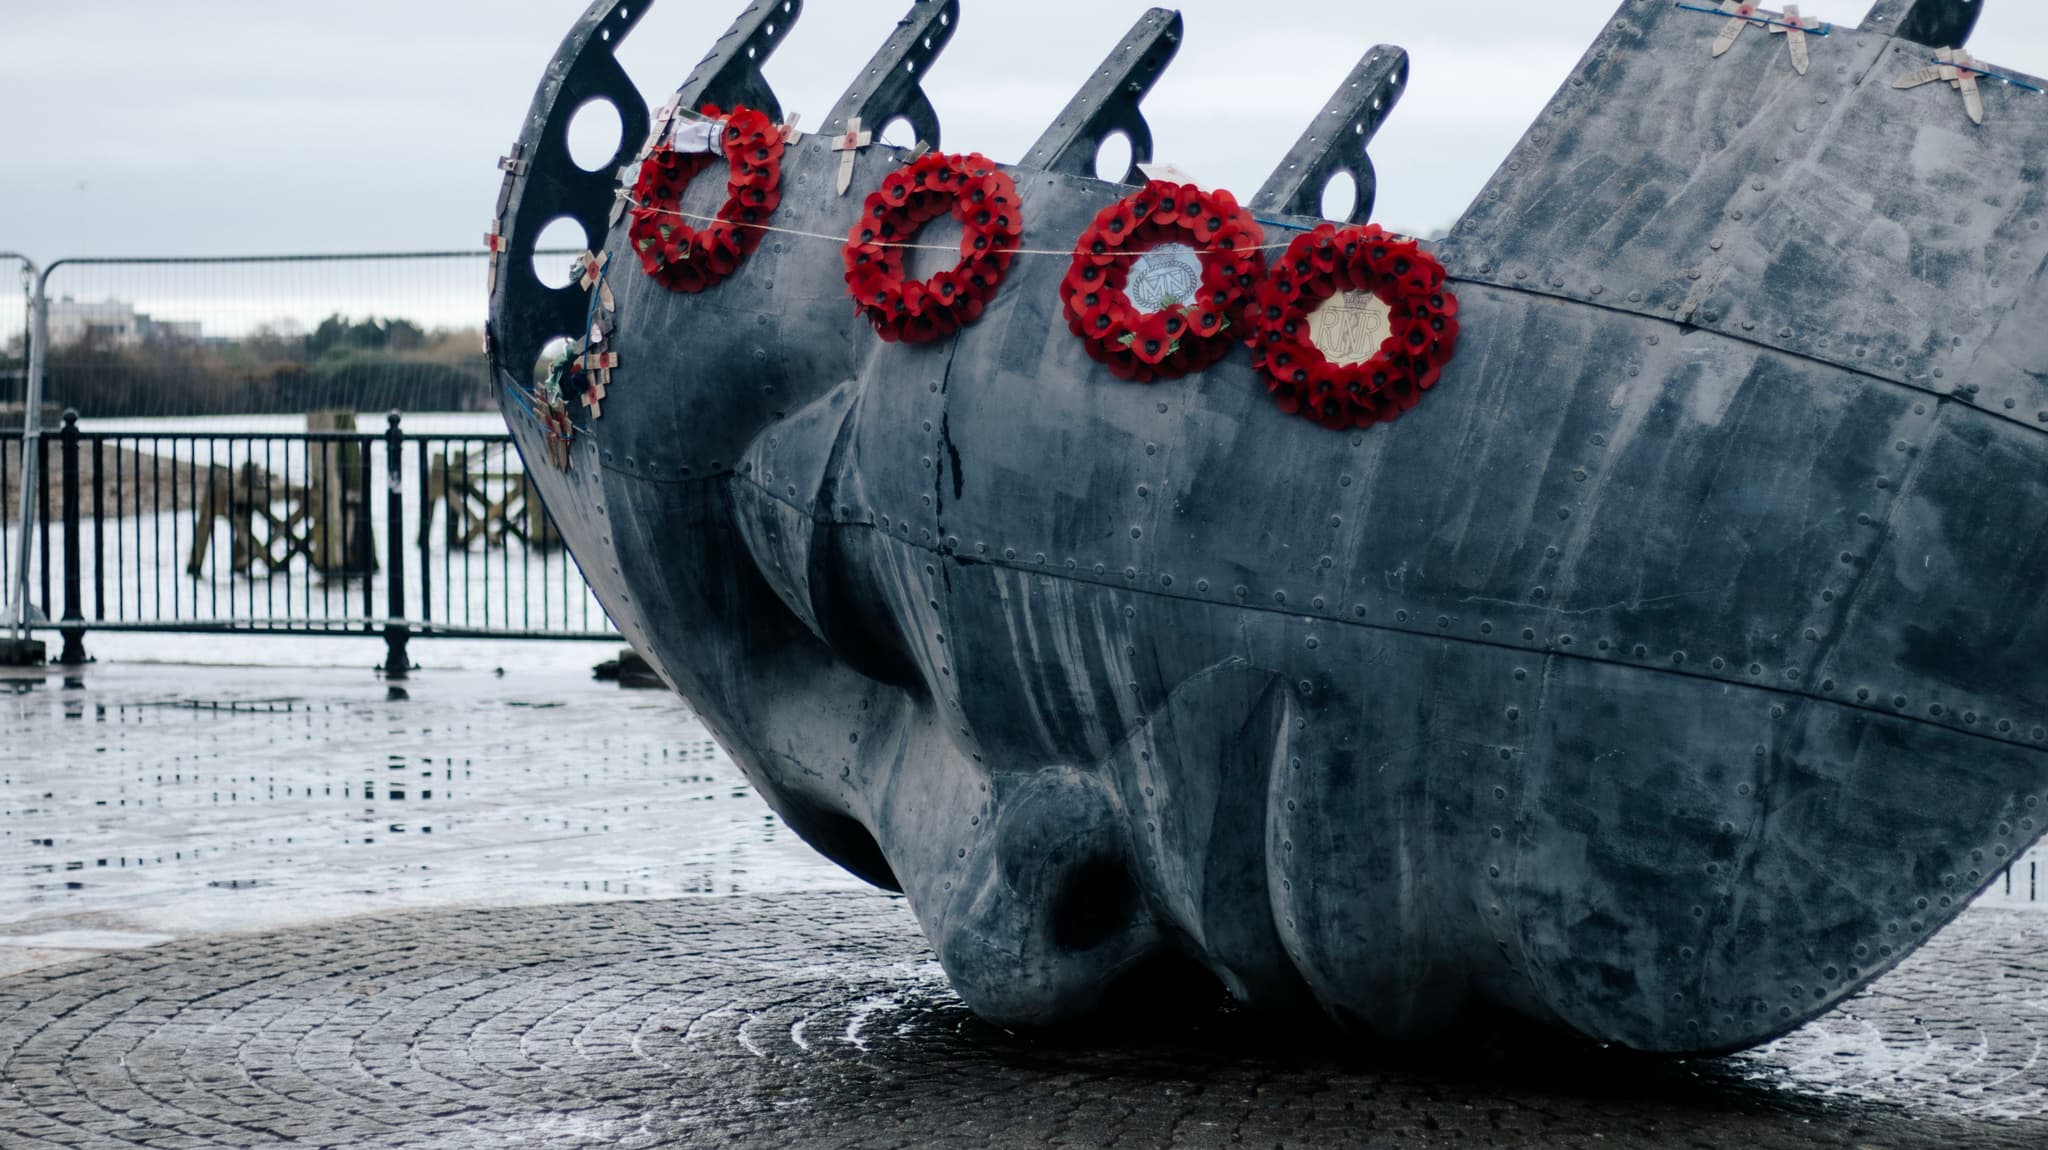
[(1420, 312)]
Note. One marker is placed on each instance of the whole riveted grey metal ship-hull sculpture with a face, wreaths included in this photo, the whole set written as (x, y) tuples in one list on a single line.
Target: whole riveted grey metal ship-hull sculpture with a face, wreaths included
[(1646, 639)]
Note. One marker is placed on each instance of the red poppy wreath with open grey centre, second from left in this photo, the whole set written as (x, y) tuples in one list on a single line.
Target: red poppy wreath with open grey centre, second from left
[(982, 197)]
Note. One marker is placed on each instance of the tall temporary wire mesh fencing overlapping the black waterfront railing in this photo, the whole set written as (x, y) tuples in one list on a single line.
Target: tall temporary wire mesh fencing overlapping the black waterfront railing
[(167, 513)]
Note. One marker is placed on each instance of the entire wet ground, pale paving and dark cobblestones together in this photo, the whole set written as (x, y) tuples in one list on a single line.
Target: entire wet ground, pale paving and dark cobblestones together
[(263, 826)]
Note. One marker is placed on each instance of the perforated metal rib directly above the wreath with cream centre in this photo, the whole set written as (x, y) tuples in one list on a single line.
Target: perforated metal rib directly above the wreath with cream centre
[(1338, 138)]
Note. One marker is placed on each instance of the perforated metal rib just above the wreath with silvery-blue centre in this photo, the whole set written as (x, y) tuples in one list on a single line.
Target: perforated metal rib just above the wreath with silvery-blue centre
[(1109, 103)]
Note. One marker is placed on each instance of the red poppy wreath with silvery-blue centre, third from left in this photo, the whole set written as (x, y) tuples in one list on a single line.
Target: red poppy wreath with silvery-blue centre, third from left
[(1162, 279)]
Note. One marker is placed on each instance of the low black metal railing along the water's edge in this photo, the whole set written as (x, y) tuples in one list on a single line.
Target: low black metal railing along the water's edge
[(347, 531)]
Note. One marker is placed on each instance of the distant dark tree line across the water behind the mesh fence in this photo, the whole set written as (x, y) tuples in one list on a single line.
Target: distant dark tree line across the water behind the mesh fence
[(364, 365)]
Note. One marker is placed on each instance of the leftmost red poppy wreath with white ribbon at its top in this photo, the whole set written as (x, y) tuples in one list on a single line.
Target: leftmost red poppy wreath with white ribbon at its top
[(697, 259)]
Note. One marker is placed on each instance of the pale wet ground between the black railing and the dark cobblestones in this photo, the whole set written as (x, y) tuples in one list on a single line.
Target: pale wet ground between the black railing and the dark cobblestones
[(144, 803)]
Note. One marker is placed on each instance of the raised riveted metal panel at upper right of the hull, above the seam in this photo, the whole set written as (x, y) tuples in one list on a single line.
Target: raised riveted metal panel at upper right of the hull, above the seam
[(1832, 214)]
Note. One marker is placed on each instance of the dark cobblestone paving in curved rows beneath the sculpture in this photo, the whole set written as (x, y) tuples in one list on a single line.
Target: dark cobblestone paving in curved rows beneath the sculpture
[(818, 1020)]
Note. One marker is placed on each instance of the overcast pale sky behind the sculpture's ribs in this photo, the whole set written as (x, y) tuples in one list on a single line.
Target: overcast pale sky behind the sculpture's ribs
[(140, 128)]
